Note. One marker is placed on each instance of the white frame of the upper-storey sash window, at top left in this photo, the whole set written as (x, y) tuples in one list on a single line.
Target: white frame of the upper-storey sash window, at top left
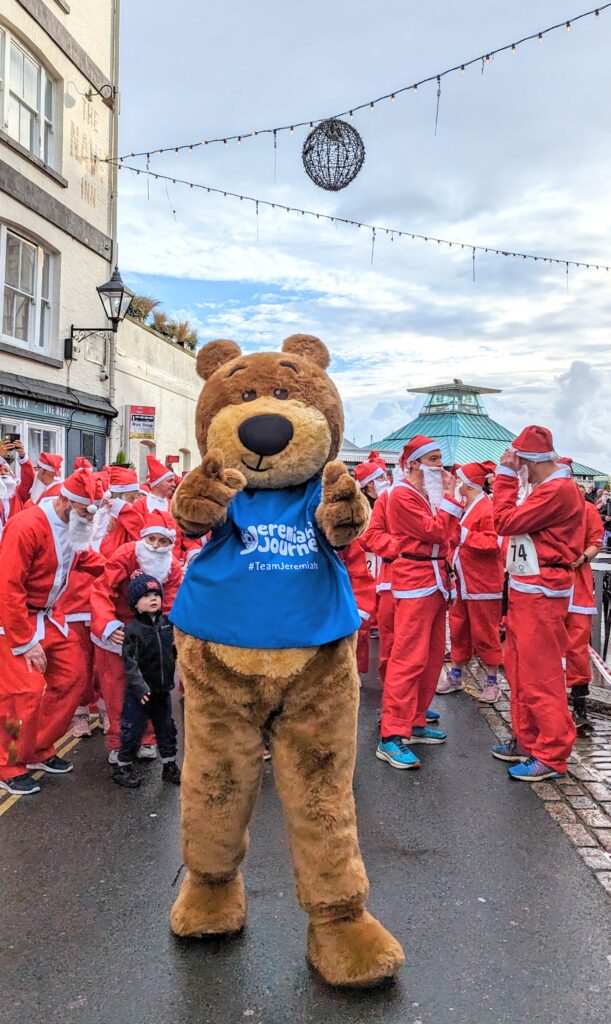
[(9, 92)]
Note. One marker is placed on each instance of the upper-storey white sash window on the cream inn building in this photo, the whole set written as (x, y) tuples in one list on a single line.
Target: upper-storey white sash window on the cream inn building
[(27, 100)]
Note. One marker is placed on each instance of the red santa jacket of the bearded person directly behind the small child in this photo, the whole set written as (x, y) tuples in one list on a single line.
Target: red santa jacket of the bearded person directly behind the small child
[(110, 608)]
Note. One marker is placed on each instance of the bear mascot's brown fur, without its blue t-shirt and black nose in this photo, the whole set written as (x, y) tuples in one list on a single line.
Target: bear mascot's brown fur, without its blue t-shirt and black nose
[(307, 699)]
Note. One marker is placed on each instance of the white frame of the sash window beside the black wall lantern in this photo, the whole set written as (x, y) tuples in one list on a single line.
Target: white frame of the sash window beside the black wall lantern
[(40, 325)]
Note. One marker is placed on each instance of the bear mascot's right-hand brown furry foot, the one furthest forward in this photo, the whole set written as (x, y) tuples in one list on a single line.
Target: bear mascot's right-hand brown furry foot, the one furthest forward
[(357, 952)]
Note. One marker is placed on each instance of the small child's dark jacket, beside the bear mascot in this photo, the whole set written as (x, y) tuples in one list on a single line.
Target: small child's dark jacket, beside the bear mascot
[(149, 655)]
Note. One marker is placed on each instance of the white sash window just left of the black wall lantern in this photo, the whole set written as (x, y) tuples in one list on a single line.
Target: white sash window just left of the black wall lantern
[(26, 290)]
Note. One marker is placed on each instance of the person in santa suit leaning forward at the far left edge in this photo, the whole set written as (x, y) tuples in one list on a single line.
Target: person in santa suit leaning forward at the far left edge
[(40, 549)]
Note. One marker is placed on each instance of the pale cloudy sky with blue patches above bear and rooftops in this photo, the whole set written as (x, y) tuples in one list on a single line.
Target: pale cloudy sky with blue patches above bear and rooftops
[(521, 161)]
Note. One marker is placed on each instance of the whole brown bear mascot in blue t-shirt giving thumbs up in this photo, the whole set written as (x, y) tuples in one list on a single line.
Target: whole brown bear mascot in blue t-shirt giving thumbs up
[(266, 627)]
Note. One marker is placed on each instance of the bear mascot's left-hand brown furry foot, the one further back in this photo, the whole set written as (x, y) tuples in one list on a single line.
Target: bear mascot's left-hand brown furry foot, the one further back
[(204, 909)]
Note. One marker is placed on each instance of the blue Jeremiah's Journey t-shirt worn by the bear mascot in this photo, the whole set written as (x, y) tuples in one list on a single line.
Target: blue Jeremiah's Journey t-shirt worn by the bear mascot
[(269, 578)]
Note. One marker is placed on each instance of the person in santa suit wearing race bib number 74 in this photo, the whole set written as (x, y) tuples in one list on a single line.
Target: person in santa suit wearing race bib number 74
[(546, 536)]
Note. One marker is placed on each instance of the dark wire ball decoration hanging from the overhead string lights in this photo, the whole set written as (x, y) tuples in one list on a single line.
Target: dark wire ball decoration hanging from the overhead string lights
[(333, 155)]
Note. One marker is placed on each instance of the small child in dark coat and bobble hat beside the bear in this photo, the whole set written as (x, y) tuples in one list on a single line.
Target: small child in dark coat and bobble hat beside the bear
[(150, 661)]
